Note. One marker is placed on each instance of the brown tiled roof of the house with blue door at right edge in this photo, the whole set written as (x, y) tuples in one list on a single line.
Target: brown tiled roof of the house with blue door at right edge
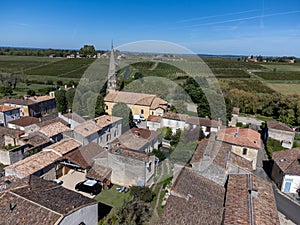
[(288, 160)]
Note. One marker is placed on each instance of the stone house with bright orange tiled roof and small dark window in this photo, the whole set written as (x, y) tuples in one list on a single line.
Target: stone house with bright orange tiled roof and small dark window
[(245, 142)]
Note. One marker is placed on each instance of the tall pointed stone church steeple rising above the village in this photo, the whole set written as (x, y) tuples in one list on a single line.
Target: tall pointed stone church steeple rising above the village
[(112, 78)]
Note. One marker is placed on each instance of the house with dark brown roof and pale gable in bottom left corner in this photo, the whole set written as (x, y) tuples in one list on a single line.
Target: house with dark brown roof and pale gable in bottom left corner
[(32, 200)]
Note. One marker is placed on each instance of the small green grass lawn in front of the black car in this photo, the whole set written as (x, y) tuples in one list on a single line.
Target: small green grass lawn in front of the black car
[(112, 197)]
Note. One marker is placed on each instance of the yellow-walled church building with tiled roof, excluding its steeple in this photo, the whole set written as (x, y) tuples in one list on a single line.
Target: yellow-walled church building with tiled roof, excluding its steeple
[(140, 104)]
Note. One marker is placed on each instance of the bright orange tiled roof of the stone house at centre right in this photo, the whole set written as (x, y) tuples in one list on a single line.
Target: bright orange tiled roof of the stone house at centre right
[(240, 136)]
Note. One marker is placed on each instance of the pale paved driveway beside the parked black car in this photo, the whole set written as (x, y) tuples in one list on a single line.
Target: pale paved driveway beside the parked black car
[(71, 179)]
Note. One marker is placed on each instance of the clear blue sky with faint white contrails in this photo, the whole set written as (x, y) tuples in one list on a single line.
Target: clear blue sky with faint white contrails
[(257, 27)]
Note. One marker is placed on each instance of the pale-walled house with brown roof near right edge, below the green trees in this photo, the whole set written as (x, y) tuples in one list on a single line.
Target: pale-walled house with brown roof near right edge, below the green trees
[(281, 132)]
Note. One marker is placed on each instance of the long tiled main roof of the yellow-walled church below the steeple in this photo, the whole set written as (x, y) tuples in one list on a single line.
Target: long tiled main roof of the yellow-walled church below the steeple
[(130, 98)]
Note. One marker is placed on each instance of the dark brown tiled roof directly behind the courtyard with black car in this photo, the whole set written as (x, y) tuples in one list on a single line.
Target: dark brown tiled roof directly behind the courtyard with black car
[(84, 156)]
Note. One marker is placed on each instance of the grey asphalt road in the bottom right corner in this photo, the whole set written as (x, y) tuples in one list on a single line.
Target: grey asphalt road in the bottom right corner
[(287, 207)]
